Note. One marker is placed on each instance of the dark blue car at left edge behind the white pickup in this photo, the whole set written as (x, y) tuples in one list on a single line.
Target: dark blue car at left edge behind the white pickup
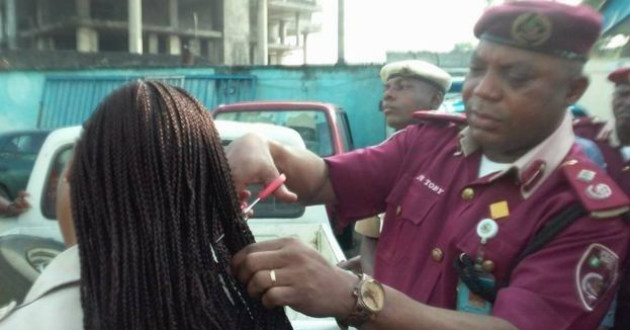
[(18, 151)]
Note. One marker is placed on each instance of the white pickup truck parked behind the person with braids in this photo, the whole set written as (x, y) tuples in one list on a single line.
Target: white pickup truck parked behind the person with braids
[(30, 241)]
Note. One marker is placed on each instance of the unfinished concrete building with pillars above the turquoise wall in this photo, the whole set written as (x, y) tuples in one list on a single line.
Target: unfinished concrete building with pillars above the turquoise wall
[(230, 32)]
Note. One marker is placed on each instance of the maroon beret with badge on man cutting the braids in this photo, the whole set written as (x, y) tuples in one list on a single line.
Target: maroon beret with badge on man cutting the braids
[(542, 26)]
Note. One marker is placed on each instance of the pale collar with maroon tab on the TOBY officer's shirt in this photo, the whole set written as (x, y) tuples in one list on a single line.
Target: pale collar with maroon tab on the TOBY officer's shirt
[(534, 167)]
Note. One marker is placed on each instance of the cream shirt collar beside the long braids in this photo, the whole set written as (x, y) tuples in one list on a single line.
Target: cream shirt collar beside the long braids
[(63, 270)]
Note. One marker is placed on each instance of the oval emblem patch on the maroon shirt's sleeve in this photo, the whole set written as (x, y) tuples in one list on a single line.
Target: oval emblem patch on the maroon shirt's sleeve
[(595, 274)]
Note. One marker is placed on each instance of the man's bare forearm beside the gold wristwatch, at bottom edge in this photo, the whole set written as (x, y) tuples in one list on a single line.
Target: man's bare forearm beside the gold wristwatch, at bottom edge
[(401, 312)]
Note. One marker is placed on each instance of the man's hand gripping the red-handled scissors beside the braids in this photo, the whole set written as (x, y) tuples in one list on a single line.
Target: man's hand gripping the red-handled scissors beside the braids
[(251, 162)]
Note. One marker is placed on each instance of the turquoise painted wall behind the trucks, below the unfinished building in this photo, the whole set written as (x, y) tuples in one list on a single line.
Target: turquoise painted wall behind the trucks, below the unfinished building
[(357, 89)]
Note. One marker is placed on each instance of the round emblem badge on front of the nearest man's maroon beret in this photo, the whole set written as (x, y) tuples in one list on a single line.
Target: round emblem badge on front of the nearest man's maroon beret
[(531, 29)]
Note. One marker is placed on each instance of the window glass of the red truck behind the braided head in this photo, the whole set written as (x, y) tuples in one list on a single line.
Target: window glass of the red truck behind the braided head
[(312, 125)]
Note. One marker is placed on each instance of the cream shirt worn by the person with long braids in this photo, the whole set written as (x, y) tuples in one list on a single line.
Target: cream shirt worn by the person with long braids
[(54, 300)]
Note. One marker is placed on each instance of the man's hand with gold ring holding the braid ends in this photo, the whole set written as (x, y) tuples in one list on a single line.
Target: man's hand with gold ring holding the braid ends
[(303, 279)]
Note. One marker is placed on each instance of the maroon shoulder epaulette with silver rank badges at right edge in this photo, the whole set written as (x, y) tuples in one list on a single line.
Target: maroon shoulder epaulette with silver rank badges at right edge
[(597, 192)]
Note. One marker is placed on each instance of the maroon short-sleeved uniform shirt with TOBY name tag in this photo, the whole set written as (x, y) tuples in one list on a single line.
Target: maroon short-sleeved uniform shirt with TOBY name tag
[(426, 181)]
